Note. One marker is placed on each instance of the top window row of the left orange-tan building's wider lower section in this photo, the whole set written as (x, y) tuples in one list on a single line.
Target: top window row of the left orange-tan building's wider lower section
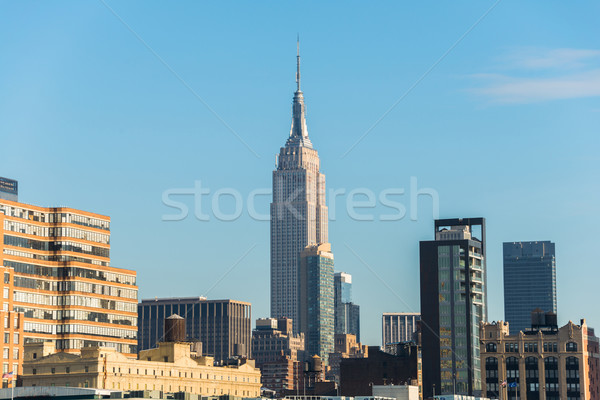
[(68, 272)]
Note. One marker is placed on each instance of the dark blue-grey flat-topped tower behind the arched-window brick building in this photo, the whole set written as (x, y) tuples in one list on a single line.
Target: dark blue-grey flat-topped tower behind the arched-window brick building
[(529, 281)]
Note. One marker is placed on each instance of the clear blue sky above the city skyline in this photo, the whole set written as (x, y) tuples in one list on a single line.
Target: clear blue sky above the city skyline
[(505, 126)]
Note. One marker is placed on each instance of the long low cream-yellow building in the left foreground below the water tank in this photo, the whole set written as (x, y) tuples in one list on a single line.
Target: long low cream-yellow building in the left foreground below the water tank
[(171, 367)]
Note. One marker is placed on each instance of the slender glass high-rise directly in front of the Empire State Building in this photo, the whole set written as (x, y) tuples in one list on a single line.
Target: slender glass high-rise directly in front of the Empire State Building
[(316, 300)]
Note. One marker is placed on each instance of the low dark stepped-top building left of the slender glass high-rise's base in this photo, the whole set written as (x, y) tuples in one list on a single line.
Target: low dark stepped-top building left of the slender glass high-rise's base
[(274, 338)]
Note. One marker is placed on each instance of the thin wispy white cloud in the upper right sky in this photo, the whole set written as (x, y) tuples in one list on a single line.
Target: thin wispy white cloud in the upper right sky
[(546, 75)]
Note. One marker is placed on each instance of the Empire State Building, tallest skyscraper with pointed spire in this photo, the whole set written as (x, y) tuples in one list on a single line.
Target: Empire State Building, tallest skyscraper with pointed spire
[(298, 210)]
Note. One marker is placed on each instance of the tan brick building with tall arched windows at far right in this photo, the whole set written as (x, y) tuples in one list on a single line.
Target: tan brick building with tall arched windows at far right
[(544, 362)]
